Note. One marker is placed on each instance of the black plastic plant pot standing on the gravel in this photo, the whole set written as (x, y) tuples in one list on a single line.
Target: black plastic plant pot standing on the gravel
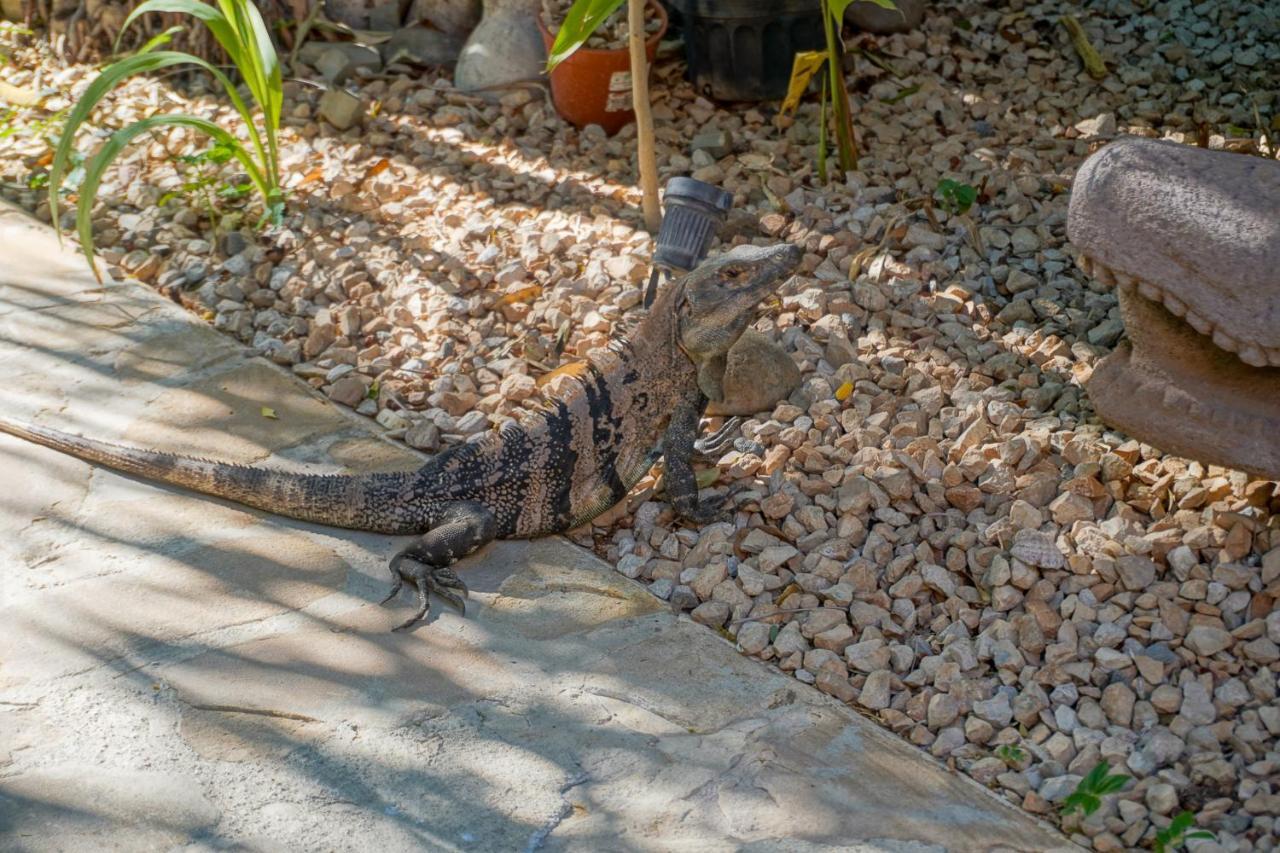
[(742, 51)]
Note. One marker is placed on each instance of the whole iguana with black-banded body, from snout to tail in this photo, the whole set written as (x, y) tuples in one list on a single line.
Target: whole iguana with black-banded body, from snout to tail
[(552, 471)]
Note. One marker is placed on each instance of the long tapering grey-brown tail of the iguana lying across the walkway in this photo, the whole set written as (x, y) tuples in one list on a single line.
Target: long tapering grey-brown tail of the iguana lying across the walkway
[(355, 501)]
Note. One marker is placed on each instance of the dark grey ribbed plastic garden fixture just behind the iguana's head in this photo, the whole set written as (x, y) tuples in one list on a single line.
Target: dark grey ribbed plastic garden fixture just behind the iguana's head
[(694, 211)]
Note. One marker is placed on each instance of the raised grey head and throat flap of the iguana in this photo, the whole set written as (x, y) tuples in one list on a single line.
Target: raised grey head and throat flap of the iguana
[(716, 303)]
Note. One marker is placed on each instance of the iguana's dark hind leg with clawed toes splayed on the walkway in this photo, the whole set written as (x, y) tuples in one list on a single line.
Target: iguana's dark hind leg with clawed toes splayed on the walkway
[(426, 565)]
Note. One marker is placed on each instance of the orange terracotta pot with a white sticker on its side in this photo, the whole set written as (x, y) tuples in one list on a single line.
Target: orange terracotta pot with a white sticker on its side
[(595, 86)]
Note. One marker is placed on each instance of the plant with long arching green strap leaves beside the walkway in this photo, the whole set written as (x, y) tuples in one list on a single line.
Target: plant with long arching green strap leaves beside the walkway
[(241, 31)]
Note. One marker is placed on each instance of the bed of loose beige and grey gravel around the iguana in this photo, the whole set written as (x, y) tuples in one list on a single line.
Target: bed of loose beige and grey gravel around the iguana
[(940, 531)]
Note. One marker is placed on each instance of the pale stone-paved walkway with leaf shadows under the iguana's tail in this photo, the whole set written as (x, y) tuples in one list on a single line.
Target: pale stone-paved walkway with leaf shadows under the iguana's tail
[(180, 673)]
